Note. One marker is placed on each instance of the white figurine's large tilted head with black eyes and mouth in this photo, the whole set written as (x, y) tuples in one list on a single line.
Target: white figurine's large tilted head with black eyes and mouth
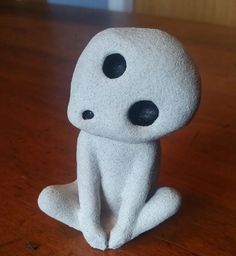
[(133, 85)]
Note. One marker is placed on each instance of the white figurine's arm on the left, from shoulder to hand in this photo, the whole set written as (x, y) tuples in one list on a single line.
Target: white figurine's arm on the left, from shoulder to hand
[(89, 194)]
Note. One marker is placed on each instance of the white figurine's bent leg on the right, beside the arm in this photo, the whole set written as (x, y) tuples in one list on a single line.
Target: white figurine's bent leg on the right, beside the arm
[(162, 205)]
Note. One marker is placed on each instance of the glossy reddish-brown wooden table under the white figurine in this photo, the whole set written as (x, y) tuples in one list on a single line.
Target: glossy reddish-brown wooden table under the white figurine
[(39, 46)]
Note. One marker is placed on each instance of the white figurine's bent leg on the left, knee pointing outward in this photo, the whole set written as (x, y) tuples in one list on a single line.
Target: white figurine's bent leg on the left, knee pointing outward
[(61, 202)]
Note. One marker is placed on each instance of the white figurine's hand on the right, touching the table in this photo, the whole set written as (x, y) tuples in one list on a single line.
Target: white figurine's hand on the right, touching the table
[(119, 236)]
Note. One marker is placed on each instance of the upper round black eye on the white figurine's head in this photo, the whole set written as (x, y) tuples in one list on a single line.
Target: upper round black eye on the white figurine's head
[(114, 65)]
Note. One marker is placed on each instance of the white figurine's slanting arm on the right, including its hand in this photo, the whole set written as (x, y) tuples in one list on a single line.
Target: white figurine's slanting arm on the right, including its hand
[(134, 196)]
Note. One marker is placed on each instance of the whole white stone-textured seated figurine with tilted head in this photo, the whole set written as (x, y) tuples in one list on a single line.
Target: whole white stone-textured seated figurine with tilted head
[(130, 87)]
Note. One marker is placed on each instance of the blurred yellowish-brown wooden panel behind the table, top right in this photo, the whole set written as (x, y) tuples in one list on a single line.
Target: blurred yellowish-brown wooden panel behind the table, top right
[(210, 11)]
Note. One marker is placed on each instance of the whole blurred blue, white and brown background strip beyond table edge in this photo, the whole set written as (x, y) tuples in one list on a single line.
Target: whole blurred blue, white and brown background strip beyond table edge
[(222, 12)]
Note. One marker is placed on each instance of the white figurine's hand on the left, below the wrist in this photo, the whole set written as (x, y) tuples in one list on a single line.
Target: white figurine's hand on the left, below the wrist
[(95, 236)]
